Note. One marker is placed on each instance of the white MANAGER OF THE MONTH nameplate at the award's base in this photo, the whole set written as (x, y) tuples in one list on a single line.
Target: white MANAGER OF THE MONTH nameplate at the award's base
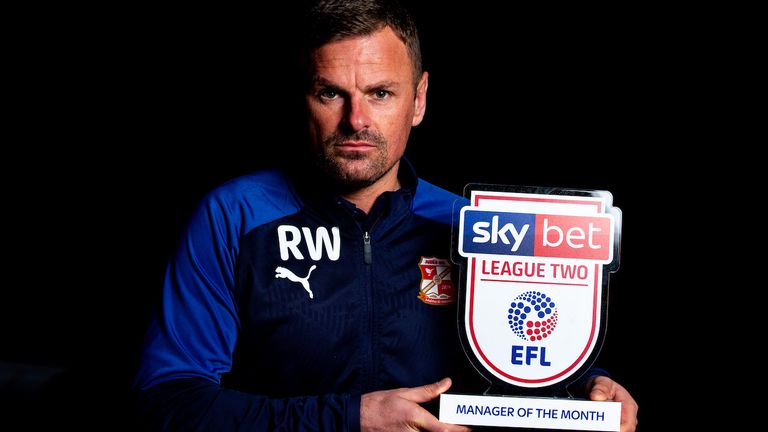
[(530, 412)]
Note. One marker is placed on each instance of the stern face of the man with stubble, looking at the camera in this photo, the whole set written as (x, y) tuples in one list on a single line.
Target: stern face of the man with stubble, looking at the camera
[(362, 105)]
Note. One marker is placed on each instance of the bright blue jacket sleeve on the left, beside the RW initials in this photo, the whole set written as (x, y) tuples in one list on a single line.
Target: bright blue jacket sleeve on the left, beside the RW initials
[(192, 336)]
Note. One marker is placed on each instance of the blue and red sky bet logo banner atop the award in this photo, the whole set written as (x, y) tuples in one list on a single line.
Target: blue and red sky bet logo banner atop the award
[(540, 235)]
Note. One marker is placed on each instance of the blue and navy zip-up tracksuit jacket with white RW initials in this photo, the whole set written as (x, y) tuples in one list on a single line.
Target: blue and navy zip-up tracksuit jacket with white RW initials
[(284, 303)]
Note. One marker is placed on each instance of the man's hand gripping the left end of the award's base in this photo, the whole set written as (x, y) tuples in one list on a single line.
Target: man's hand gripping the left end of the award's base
[(399, 410)]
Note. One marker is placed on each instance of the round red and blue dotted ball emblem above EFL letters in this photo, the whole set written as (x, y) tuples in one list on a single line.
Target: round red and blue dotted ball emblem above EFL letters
[(532, 316)]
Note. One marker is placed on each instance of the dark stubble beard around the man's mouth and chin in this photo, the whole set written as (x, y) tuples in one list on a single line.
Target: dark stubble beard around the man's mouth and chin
[(355, 169)]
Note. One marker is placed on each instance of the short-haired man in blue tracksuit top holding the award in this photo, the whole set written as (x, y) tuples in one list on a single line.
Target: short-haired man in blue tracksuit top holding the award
[(294, 305)]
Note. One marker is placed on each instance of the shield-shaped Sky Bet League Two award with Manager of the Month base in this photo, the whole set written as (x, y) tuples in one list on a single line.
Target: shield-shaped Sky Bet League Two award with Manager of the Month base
[(535, 264)]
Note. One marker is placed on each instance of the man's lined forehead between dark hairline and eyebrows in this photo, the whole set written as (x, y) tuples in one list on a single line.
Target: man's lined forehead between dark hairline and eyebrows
[(382, 51)]
